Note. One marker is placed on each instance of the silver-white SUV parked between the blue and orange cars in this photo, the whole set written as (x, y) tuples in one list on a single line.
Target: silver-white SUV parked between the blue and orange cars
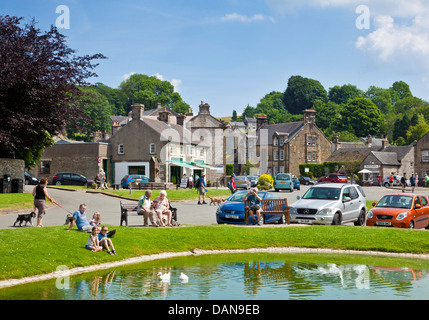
[(333, 203)]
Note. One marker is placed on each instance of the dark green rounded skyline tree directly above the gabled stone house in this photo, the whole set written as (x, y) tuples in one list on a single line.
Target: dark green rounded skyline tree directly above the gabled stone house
[(301, 93)]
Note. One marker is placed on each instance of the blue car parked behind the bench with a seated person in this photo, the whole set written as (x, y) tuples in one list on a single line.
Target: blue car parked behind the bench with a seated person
[(231, 211)]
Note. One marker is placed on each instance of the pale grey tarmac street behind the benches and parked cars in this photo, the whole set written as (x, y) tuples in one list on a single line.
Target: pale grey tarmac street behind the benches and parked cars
[(109, 207)]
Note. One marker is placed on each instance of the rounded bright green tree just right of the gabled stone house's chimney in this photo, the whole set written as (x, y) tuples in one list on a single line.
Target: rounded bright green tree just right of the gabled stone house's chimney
[(362, 117)]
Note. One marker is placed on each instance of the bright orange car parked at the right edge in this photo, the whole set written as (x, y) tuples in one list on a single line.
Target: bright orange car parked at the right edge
[(402, 210)]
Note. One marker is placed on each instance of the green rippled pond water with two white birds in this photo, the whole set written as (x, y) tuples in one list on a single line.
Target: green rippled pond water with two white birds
[(243, 277)]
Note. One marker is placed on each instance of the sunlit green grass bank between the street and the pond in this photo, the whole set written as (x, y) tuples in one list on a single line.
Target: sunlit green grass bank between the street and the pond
[(33, 251)]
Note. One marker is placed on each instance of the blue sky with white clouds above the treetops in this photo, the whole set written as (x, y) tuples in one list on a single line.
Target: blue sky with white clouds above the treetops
[(230, 53)]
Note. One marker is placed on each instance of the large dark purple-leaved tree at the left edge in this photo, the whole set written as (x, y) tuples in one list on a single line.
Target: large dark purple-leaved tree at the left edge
[(39, 79)]
